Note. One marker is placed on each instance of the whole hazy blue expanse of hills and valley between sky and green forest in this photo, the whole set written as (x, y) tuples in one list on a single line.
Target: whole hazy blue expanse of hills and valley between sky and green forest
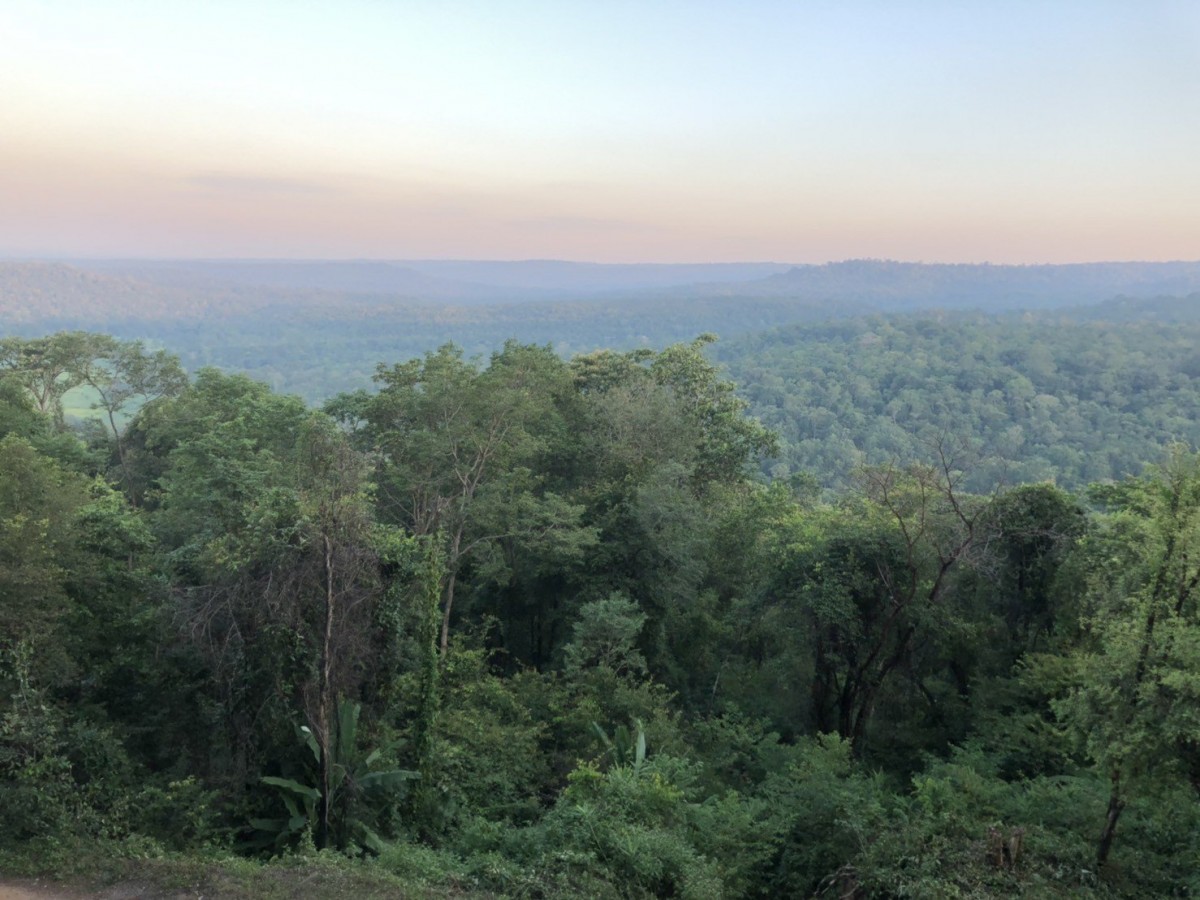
[(321, 328)]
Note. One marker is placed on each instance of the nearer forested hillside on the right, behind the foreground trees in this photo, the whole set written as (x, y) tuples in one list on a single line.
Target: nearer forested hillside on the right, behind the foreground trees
[(1072, 400)]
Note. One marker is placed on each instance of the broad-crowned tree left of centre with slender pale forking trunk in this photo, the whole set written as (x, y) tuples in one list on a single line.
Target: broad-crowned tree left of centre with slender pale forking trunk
[(460, 452)]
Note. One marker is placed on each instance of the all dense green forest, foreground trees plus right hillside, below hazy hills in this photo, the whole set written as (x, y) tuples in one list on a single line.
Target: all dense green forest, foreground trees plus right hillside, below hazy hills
[(542, 627)]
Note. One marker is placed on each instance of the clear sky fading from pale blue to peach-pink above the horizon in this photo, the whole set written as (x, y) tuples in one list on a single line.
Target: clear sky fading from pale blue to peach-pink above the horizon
[(797, 133)]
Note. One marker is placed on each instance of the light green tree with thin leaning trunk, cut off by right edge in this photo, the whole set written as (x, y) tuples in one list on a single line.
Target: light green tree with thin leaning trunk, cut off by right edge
[(1136, 704)]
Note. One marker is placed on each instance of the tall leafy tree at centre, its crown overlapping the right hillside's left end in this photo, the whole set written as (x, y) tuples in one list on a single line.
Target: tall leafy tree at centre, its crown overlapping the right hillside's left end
[(665, 453)]
